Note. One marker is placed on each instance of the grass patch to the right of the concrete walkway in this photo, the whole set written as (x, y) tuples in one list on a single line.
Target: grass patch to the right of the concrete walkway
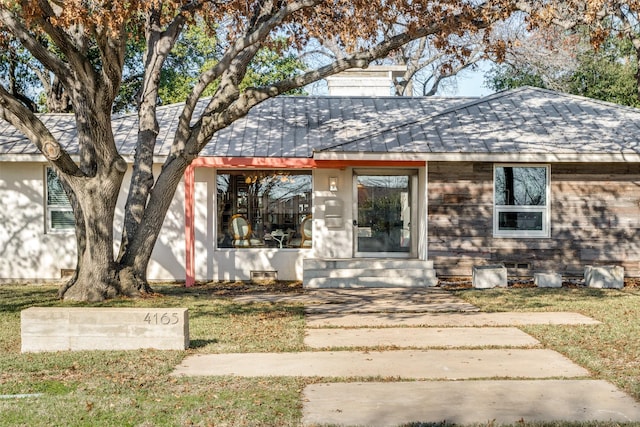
[(611, 350)]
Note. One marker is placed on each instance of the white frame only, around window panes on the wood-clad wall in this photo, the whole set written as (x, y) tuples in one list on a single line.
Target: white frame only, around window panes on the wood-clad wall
[(544, 210)]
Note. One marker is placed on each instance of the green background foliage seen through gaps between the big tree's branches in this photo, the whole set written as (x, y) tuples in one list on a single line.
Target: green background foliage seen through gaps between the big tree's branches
[(195, 51)]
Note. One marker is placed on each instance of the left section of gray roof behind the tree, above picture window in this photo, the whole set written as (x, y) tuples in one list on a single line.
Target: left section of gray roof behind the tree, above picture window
[(279, 127)]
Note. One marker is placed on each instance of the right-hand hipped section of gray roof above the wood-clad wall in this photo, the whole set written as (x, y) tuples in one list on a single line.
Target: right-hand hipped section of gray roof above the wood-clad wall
[(524, 120)]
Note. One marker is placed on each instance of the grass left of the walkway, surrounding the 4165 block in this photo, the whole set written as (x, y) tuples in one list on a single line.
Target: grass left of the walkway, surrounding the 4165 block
[(134, 388)]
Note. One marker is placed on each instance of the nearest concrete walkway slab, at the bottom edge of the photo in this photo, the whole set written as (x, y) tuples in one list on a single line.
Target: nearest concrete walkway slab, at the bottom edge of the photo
[(468, 402)]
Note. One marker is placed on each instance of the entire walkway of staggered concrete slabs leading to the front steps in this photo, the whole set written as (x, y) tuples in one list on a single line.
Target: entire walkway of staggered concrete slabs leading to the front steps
[(456, 357)]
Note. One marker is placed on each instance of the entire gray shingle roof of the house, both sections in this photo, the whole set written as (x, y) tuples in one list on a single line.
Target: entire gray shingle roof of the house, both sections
[(524, 120)]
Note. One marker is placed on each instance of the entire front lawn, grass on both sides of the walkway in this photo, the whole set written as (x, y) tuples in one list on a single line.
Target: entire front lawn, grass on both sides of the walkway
[(135, 388)]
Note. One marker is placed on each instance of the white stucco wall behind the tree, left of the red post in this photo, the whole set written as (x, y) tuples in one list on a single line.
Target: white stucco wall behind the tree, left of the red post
[(29, 253)]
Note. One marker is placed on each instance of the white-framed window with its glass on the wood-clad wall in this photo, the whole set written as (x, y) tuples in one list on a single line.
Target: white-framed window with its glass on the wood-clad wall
[(521, 201)]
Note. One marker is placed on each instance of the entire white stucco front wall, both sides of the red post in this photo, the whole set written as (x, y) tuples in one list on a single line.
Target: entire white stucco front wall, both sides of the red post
[(28, 253)]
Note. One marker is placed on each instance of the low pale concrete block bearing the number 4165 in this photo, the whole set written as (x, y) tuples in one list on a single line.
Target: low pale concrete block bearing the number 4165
[(97, 328)]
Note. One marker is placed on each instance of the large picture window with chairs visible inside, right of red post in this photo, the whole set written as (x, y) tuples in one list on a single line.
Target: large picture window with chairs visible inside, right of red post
[(262, 208)]
